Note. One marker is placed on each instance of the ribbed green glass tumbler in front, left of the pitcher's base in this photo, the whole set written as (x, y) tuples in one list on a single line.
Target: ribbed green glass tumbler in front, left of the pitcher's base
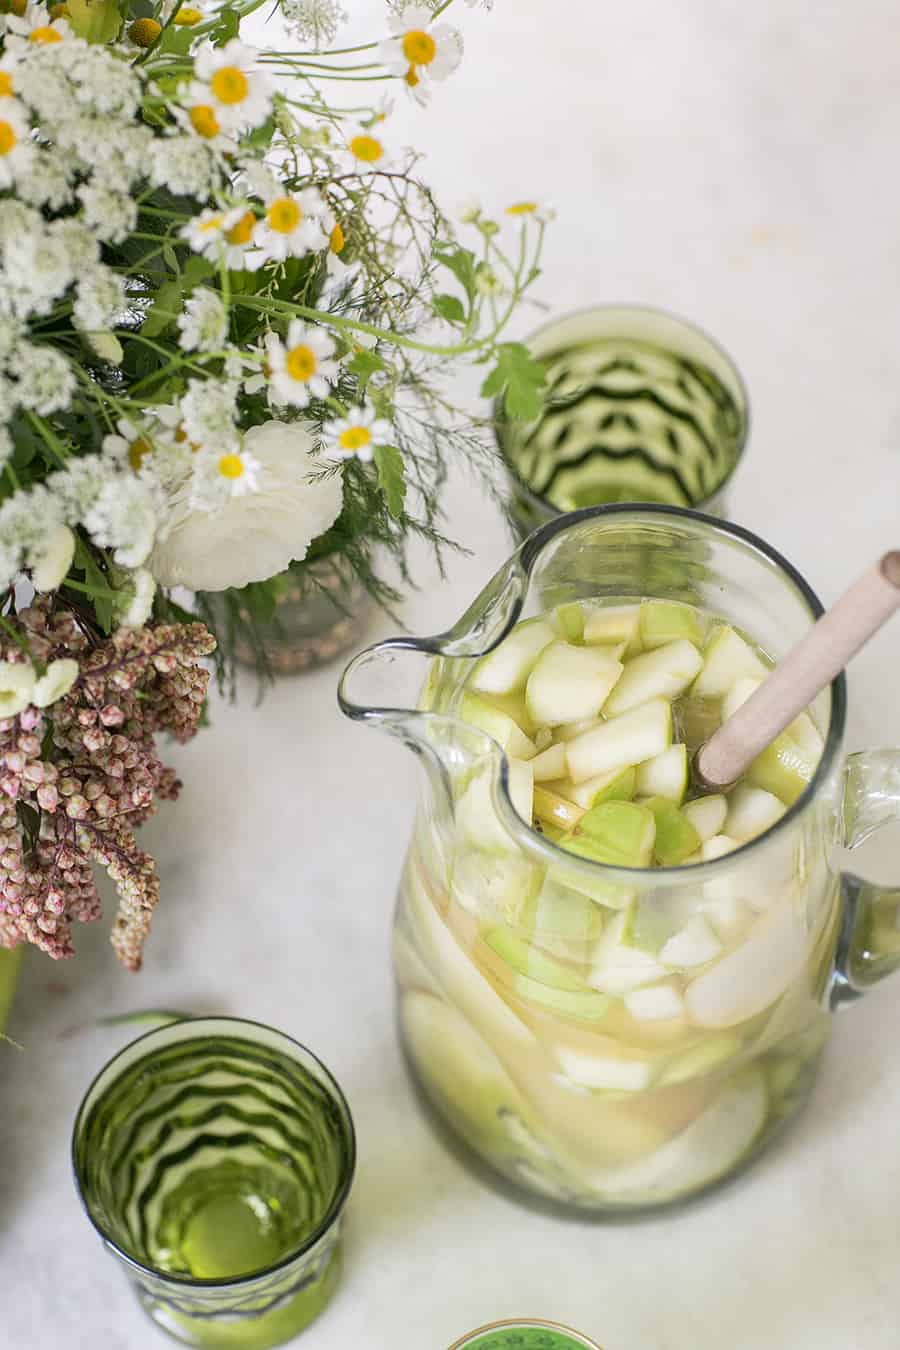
[(215, 1159)]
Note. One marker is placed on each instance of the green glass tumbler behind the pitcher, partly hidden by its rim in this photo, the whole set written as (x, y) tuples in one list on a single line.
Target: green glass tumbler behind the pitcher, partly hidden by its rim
[(639, 407)]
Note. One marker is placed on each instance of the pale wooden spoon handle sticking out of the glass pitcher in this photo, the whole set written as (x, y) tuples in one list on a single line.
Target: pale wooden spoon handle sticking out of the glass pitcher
[(804, 674)]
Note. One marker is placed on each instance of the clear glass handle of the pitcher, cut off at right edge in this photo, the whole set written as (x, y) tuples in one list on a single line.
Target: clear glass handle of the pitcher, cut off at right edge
[(870, 940)]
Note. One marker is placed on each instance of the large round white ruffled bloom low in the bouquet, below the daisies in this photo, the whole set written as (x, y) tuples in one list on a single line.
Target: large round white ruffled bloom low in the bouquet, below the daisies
[(254, 537)]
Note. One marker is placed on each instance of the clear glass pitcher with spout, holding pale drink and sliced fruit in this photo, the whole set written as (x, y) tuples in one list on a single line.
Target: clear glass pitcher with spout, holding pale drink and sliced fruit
[(550, 1081)]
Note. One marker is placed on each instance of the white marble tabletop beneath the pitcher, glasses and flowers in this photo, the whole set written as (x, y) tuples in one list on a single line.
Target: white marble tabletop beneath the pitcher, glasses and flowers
[(733, 163)]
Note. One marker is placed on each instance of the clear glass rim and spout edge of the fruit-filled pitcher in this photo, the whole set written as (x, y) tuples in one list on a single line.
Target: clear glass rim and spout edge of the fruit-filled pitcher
[(528, 554)]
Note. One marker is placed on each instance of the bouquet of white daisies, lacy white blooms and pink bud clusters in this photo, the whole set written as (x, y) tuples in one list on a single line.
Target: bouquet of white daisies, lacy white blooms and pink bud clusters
[(227, 310)]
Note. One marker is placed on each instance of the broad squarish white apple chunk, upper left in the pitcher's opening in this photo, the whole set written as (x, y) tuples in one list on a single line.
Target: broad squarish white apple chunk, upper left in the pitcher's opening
[(570, 684)]
